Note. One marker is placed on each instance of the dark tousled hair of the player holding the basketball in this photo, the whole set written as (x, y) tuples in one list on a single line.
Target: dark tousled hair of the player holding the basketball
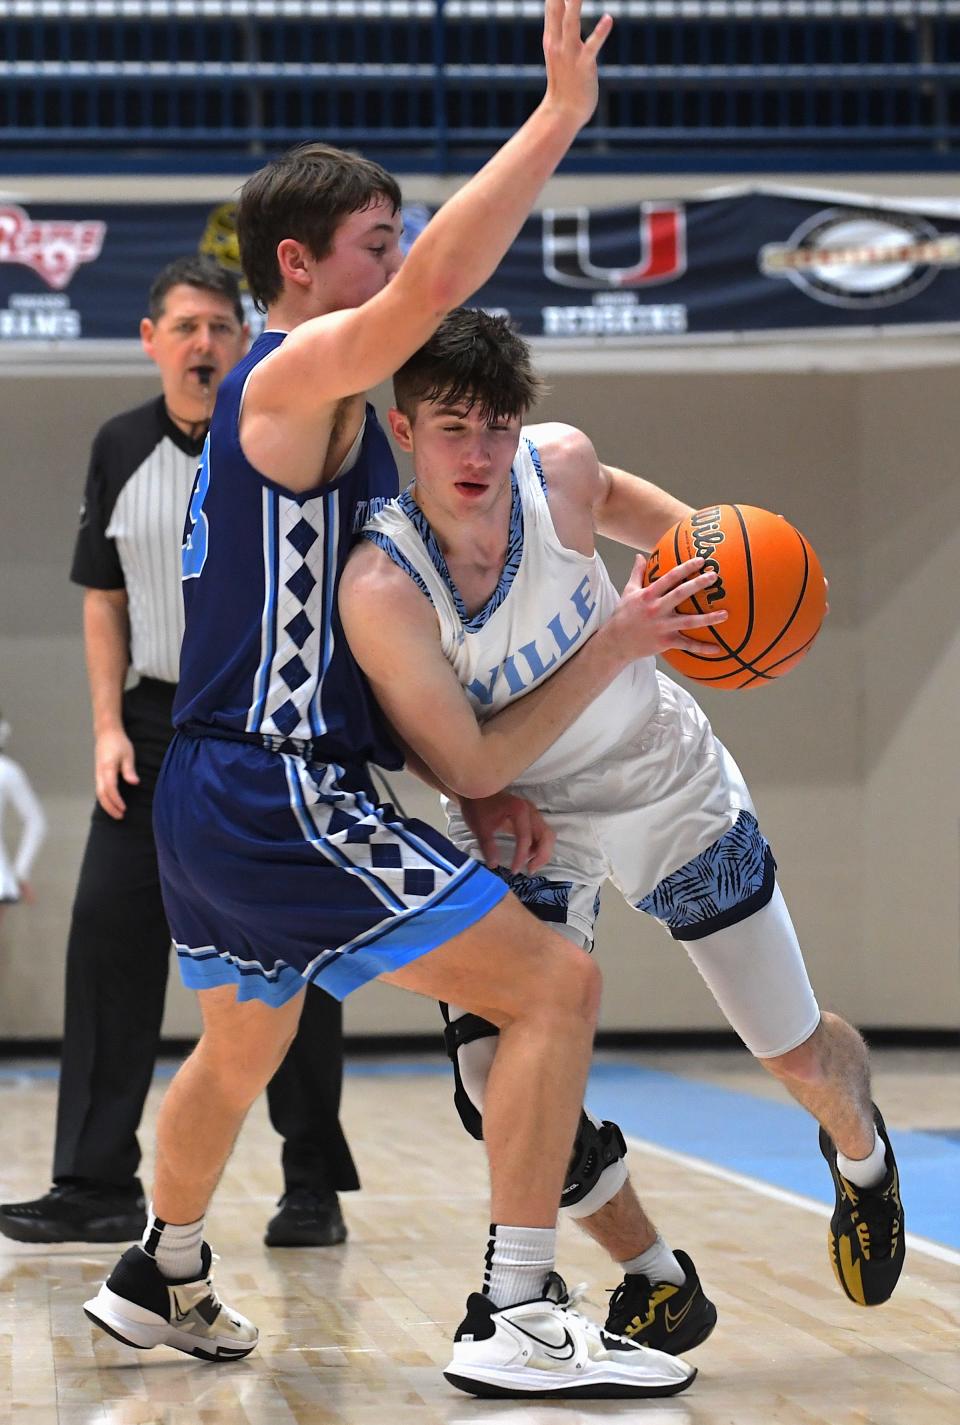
[(472, 360)]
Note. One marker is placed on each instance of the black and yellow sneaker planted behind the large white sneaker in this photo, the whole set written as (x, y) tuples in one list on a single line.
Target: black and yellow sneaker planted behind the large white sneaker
[(662, 1315)]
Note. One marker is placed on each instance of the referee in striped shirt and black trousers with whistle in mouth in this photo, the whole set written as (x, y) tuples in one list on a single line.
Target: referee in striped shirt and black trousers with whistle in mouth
[(127, 559)]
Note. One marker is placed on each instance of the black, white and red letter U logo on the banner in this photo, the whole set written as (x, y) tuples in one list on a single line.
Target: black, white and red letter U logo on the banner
[(568, 249)]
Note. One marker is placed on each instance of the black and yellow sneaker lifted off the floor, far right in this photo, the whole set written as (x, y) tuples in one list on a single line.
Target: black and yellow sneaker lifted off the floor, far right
[(865, 1239)]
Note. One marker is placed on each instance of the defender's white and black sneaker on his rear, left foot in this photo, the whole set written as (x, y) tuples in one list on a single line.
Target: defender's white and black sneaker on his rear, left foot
[(143, 1309)]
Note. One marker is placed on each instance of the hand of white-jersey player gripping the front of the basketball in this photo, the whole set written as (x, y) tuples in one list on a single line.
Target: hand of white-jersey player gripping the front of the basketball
[(649, 618)]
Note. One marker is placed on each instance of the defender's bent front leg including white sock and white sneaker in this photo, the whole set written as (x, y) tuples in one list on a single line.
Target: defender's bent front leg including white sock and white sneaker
[(521, 1339)]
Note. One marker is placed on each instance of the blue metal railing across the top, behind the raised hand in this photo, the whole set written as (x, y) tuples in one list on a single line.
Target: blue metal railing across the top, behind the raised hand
[(447, 81)]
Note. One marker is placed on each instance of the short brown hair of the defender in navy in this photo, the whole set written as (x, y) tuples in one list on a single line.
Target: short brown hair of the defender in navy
[(304, 195)]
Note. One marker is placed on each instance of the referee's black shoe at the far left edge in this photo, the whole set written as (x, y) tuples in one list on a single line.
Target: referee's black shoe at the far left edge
[(78, 1212)]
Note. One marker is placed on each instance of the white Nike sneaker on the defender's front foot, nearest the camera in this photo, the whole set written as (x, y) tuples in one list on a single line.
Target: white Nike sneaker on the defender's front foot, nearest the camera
[(545, 1349)]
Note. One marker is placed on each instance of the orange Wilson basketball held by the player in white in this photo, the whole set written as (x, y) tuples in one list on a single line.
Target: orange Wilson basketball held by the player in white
[(770, 582)]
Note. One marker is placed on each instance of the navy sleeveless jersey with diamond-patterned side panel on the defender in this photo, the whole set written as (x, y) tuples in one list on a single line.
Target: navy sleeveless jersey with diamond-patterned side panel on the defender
[(264, 653)]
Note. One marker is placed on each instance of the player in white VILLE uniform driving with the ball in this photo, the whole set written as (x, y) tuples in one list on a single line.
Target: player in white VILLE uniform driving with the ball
[(481, 585)]
